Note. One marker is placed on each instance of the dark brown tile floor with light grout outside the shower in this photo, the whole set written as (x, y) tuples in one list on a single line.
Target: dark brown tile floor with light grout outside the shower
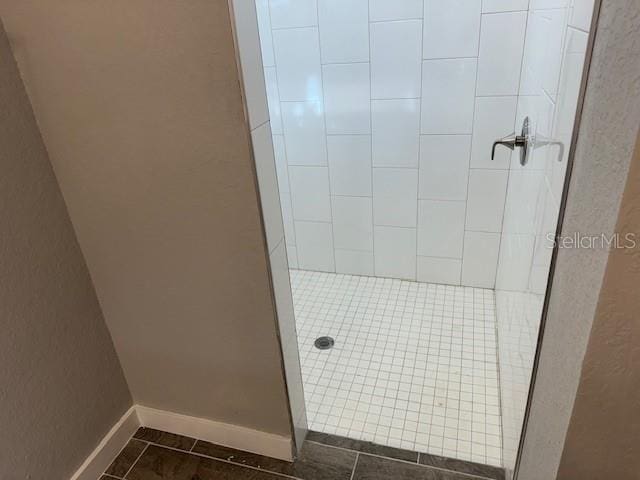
[(155, 455)]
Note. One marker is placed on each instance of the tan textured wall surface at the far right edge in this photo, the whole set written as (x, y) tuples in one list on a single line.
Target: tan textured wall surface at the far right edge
[(603, 440)]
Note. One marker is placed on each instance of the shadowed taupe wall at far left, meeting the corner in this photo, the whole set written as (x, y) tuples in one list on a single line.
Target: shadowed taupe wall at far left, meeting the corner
[(61, 386)]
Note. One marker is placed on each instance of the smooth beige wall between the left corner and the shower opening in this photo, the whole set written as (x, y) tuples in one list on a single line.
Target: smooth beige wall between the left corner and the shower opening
[(139, 105)]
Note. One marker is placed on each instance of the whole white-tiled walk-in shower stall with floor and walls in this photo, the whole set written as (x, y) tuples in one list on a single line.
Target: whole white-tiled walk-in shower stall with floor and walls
[(421, 148)]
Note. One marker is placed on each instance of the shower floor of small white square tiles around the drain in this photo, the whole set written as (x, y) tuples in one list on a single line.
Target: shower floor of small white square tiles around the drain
[(414, 364)]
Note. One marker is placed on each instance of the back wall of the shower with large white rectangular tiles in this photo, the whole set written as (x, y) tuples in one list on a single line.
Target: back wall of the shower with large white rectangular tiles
[(397, 105)]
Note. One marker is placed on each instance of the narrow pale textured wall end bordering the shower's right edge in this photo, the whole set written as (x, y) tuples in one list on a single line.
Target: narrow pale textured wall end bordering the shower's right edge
[(606, 141)]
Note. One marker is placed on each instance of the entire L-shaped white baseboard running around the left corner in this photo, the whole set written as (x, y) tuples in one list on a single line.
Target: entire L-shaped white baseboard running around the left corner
[(225, 434)]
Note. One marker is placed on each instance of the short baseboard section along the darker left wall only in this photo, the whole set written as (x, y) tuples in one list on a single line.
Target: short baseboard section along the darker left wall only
[(109, 447)]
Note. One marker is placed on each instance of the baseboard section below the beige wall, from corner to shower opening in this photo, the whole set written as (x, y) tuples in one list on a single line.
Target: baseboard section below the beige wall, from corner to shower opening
[(225, 434)]
